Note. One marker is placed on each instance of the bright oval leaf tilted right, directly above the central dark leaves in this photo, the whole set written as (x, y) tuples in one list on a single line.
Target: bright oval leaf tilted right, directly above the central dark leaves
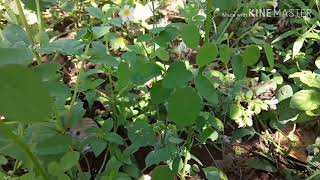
[(207, 54)]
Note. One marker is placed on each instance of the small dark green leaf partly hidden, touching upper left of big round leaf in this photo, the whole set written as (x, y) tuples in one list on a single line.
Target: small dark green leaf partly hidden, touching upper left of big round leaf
[(159, 94)]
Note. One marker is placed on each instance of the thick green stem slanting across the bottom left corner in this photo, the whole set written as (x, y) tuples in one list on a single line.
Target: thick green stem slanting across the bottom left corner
[(16, 140)]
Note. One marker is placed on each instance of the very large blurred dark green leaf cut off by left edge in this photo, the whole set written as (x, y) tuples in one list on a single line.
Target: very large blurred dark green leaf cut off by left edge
[(23, 96)]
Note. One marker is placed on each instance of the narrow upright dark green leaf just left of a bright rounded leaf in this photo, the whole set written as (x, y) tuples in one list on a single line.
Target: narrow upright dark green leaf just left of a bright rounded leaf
[(238, 67)]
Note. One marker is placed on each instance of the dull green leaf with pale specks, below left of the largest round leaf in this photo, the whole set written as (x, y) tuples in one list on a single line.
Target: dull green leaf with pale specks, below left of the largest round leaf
[(141, 133)]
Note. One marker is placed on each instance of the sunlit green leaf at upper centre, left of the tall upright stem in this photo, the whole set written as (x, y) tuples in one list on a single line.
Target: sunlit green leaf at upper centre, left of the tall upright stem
[(190, 35)]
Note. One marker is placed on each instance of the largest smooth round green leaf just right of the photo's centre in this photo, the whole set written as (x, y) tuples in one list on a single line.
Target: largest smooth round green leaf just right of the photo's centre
[(184, 107)]
